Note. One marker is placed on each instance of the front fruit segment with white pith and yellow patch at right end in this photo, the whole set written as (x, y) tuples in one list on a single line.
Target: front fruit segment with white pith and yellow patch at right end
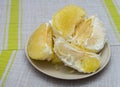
[(78, 59)]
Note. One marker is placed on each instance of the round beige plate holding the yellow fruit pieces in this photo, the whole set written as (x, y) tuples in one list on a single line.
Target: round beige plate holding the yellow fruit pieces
[(63, 72)]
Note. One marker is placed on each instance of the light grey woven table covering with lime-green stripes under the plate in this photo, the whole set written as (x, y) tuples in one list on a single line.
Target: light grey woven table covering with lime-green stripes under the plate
[(19, 18)]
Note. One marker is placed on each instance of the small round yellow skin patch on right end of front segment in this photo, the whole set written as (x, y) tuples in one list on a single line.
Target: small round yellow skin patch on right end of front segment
[(90, 64)]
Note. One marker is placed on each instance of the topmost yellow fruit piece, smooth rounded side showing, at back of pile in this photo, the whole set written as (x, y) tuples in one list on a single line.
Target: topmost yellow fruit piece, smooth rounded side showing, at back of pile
[(65, 20)]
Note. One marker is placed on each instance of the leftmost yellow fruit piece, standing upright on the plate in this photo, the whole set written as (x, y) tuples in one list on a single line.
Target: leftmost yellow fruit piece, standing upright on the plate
[(40, 43)]
